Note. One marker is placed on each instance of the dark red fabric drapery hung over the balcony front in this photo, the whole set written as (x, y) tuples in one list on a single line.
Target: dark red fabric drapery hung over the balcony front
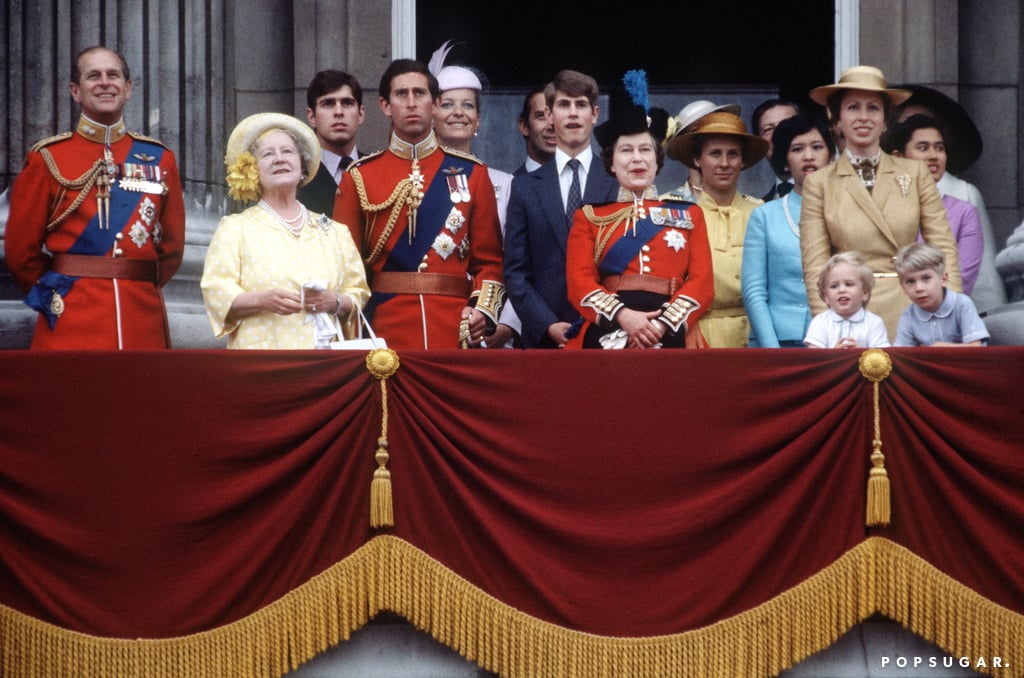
[(636, 495)]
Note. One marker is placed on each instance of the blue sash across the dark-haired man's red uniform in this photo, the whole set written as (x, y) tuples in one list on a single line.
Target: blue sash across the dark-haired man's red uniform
[(430, 221)]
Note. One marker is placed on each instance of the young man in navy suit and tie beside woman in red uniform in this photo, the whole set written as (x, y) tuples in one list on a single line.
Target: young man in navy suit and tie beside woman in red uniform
[(541, 209)]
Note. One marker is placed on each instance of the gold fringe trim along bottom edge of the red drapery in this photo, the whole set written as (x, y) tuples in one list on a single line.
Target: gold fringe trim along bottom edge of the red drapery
[(877, 576)]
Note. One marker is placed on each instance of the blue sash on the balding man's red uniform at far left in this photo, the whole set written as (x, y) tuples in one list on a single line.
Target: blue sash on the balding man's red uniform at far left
[(95, 241)]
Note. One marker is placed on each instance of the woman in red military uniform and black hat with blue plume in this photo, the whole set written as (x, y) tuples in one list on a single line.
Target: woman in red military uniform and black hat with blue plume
[(638, 270)]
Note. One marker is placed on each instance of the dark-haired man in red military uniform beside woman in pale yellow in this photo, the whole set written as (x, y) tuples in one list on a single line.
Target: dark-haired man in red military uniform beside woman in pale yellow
[(426, 222)]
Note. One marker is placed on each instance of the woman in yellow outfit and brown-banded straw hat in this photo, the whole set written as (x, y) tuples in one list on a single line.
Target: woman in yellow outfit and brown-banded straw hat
[(719, 146)]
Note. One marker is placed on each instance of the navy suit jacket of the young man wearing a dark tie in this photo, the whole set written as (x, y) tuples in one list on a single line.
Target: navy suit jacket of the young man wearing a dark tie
[(536, 236)]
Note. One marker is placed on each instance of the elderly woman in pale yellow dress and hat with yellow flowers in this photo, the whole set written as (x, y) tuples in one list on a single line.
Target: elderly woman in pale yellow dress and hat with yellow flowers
[(278, 276)]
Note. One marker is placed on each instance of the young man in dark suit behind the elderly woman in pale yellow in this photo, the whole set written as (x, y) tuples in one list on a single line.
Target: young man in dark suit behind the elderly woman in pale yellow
[(335, 111)]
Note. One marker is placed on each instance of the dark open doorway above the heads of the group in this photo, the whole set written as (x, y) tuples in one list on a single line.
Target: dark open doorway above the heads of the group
[(788, 46)]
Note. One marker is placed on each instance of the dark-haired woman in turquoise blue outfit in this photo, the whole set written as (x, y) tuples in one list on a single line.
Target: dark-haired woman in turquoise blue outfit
[(773, 277)]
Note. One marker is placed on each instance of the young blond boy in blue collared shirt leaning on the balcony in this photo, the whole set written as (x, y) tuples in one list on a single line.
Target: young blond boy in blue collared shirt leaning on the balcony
[(938, 316)]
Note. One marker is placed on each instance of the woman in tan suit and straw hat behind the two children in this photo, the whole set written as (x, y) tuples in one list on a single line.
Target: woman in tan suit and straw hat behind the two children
[(868, 201)]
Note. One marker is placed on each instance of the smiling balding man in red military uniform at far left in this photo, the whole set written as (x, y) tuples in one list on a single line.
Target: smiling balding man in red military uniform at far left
[(97, 224)]
